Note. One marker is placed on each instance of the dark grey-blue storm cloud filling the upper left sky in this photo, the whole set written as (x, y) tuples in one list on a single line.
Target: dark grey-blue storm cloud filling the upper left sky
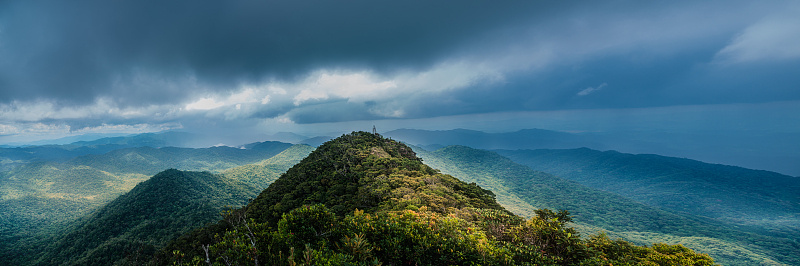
[(150, 50)]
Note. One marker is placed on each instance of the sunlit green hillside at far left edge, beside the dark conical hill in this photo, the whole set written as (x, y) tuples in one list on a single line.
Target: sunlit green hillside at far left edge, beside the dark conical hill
[(40, 195)]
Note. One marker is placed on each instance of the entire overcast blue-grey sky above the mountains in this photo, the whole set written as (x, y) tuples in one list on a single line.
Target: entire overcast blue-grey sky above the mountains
[(70, 67)]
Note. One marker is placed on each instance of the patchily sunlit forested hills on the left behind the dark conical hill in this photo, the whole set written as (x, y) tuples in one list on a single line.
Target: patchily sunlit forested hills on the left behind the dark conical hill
[(39, 199)]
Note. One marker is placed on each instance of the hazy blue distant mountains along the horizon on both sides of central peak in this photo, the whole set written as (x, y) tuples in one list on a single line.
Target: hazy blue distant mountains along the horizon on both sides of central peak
[(774, 151)]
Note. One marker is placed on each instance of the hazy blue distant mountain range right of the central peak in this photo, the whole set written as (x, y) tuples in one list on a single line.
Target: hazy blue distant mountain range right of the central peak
[(776, 152)]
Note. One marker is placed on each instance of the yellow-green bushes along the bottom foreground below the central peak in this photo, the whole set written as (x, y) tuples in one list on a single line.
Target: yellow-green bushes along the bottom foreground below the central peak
[(423, 237)]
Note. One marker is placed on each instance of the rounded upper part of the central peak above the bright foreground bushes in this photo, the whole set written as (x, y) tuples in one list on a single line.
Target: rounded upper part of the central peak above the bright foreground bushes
[(366, 171)]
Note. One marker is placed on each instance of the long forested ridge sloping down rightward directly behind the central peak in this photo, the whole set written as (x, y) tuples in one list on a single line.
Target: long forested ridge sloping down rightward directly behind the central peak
[(524, 189)]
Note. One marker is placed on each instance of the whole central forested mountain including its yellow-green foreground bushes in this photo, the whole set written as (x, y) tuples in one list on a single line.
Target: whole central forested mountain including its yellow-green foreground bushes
[(362, 199)]
